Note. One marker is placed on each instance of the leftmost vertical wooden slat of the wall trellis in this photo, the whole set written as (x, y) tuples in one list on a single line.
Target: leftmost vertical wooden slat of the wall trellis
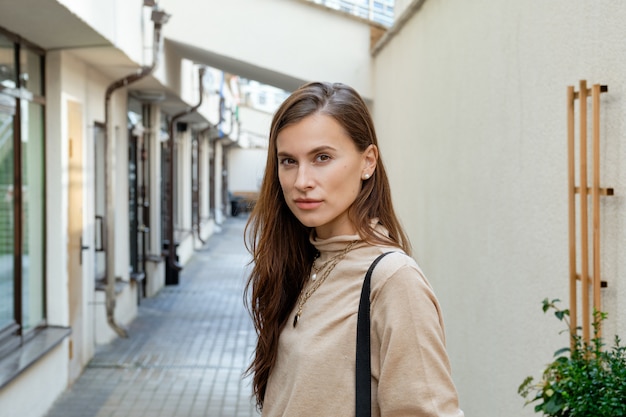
[(571, 183)]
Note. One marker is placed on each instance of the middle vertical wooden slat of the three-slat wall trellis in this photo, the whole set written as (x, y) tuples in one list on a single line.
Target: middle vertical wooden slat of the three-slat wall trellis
[(584, 225)]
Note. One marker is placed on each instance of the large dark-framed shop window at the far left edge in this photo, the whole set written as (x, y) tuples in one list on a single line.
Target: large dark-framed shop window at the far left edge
[(22, 191)]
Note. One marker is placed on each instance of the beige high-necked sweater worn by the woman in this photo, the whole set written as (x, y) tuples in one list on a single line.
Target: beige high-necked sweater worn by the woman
[(314, 372)]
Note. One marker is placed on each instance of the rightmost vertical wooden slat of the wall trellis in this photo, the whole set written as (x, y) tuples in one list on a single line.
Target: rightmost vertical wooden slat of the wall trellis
[(595, 195)]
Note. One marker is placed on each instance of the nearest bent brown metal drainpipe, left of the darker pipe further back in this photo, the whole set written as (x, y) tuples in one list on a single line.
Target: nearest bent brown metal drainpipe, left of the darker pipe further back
[(159, 18)]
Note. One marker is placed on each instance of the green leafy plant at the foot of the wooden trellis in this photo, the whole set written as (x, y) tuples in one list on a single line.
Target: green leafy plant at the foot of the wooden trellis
[(583, 381)]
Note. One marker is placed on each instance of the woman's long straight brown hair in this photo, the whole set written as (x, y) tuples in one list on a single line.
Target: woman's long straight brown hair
[(279, 243)]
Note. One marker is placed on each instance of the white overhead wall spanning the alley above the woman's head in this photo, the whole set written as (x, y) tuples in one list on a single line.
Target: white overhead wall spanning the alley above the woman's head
[(284, 37)]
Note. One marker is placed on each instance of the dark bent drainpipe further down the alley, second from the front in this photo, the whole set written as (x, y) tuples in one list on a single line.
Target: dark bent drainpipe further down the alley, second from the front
[(172, 264)]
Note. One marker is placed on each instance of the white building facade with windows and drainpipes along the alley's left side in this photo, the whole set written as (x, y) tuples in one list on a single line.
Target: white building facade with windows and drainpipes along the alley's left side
[(111, 147)]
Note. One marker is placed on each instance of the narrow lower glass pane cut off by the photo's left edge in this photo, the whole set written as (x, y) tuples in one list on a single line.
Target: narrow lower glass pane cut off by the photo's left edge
[(7, 233)]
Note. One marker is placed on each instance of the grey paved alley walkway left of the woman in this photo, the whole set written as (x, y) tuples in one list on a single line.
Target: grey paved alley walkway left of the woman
[(187, 350)]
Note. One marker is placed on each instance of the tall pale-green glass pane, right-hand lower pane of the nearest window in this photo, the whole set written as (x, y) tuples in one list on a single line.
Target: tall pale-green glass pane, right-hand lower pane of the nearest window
[(33, 214)]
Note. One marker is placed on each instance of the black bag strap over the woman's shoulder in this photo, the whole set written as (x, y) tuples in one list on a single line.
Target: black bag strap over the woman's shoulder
[(363, 354)]
